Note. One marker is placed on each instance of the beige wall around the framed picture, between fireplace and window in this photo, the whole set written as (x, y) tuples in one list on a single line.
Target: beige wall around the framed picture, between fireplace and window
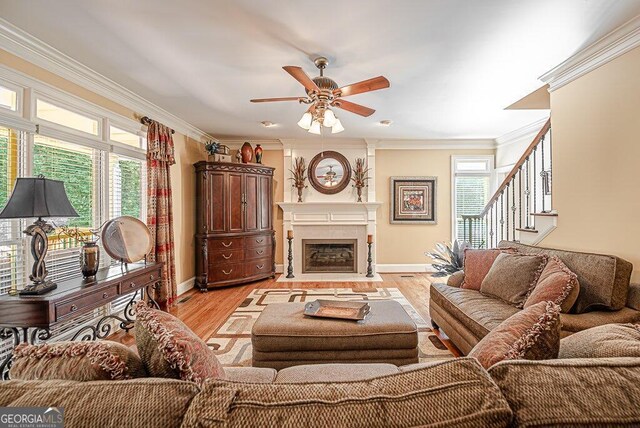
[(403, 243)]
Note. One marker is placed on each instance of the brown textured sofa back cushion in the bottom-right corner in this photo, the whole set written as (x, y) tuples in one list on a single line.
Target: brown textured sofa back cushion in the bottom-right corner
[(598, 392)]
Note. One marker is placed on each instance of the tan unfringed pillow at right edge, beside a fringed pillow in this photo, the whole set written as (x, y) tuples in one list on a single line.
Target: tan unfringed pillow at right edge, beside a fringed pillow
[(609, 340)]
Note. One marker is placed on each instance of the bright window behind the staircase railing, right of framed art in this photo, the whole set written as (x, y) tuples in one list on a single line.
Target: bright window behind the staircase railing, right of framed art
[(472, 182)]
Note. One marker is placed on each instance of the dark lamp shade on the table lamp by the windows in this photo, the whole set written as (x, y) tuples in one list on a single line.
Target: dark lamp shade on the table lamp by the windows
[(38, 197)]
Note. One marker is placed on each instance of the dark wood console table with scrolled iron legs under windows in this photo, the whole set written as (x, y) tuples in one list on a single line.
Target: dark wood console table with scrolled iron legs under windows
[(29, 319)]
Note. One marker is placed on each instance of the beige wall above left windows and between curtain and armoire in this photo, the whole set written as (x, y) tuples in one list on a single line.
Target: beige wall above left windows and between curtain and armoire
[(188, 151)]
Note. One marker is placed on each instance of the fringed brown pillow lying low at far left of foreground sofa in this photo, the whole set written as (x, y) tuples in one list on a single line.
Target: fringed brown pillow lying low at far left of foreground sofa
[(79, 361)]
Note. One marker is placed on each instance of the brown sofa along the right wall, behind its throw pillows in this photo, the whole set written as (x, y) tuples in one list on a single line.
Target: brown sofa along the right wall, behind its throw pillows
[(606, 296)]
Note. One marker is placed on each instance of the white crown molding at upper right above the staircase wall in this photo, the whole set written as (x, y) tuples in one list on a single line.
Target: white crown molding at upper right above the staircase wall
[(616, 43)]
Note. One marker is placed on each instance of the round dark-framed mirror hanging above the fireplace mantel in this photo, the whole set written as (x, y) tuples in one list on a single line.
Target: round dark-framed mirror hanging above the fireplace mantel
[(329, 172)]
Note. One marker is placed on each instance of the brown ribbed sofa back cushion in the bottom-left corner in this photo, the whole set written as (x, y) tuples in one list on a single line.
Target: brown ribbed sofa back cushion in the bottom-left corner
[(133, 403)]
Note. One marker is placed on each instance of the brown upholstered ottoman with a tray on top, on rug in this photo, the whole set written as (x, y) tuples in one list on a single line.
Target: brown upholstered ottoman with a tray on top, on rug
[(283, 336)]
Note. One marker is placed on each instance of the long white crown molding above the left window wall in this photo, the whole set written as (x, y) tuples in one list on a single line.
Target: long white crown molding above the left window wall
[(22, 44)]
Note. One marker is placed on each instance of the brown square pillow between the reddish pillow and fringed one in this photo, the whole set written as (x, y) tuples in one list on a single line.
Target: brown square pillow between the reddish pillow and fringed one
[(512, 276)]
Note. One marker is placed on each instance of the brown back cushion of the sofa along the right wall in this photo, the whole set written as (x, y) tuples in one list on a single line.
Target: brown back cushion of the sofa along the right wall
[(604, 280)]
